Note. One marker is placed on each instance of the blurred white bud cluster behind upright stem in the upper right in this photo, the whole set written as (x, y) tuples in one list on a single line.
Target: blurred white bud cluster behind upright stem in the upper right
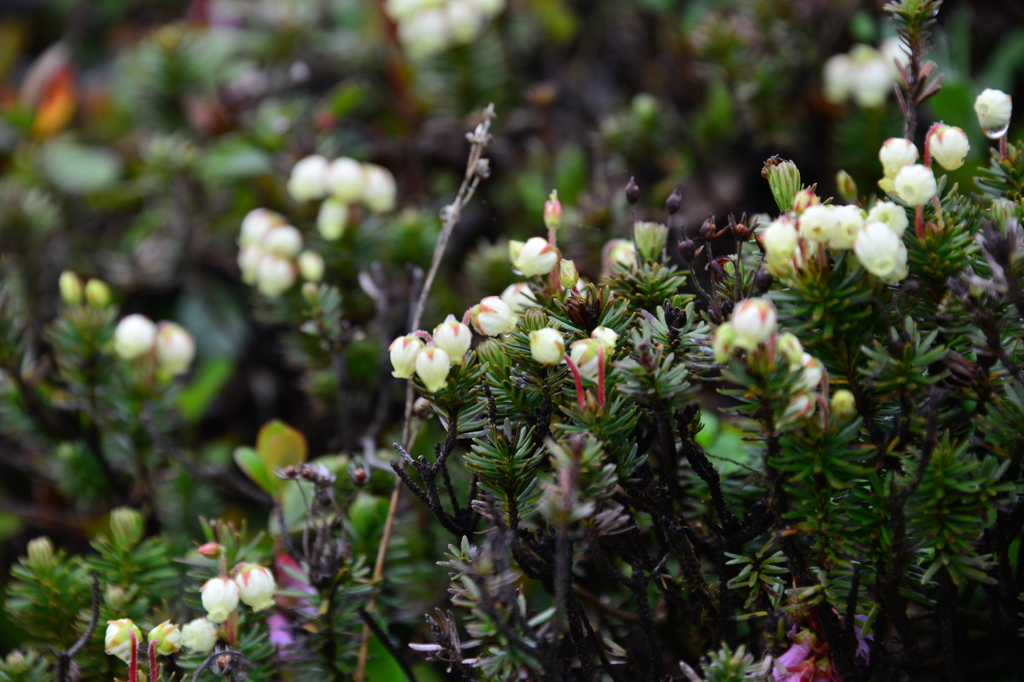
[(865, 74)]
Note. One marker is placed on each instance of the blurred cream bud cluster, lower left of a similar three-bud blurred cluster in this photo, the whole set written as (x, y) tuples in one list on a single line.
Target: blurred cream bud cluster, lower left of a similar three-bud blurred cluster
[(271, 254)]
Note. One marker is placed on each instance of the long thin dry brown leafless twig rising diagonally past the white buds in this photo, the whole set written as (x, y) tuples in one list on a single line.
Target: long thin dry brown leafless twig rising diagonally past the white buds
[(478, 168)]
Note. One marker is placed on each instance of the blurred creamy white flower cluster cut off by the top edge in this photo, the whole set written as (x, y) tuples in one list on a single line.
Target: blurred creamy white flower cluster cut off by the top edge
[(429, 27)]
